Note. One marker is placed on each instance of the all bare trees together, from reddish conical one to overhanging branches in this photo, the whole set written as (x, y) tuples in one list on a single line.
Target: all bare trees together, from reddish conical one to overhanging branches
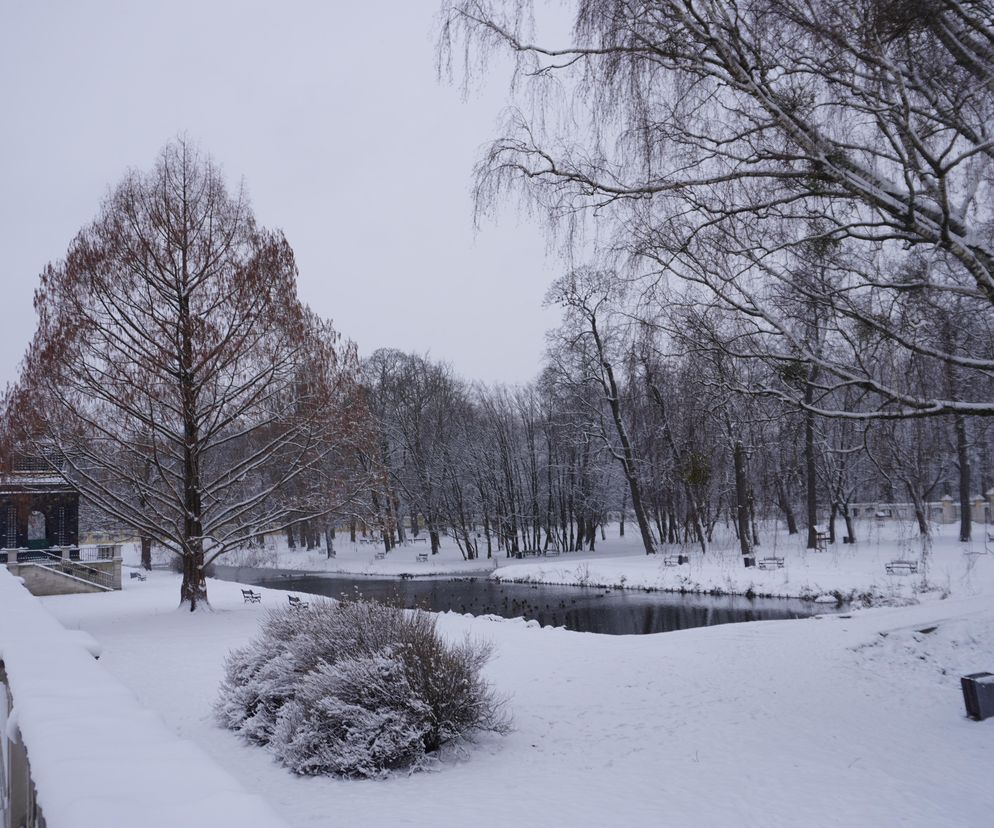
[(779, 300)]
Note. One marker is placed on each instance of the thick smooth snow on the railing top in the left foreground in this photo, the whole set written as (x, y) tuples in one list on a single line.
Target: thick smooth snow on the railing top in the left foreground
[(96, 756)]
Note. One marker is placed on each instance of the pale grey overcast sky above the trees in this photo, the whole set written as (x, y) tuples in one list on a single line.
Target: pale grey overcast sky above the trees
[(332, 114)]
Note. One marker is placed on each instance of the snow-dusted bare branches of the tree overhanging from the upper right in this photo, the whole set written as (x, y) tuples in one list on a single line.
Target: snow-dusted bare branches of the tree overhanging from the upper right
[(710, 136)]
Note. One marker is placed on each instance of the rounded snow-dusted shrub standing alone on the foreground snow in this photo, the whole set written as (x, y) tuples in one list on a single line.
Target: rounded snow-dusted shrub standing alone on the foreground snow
[(356, 689)]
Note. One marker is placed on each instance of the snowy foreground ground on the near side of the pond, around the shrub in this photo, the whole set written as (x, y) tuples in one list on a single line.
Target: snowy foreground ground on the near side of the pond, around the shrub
[(855, 719)]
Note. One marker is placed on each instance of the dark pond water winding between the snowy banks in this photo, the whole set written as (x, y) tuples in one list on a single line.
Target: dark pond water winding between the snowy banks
[(584, 609)]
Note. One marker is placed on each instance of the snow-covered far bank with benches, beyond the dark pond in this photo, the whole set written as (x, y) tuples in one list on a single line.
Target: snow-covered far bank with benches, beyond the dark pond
[(852, 571)]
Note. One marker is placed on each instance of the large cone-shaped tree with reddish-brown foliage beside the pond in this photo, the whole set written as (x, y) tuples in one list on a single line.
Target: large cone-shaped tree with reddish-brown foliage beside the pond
[(194, 396)]
